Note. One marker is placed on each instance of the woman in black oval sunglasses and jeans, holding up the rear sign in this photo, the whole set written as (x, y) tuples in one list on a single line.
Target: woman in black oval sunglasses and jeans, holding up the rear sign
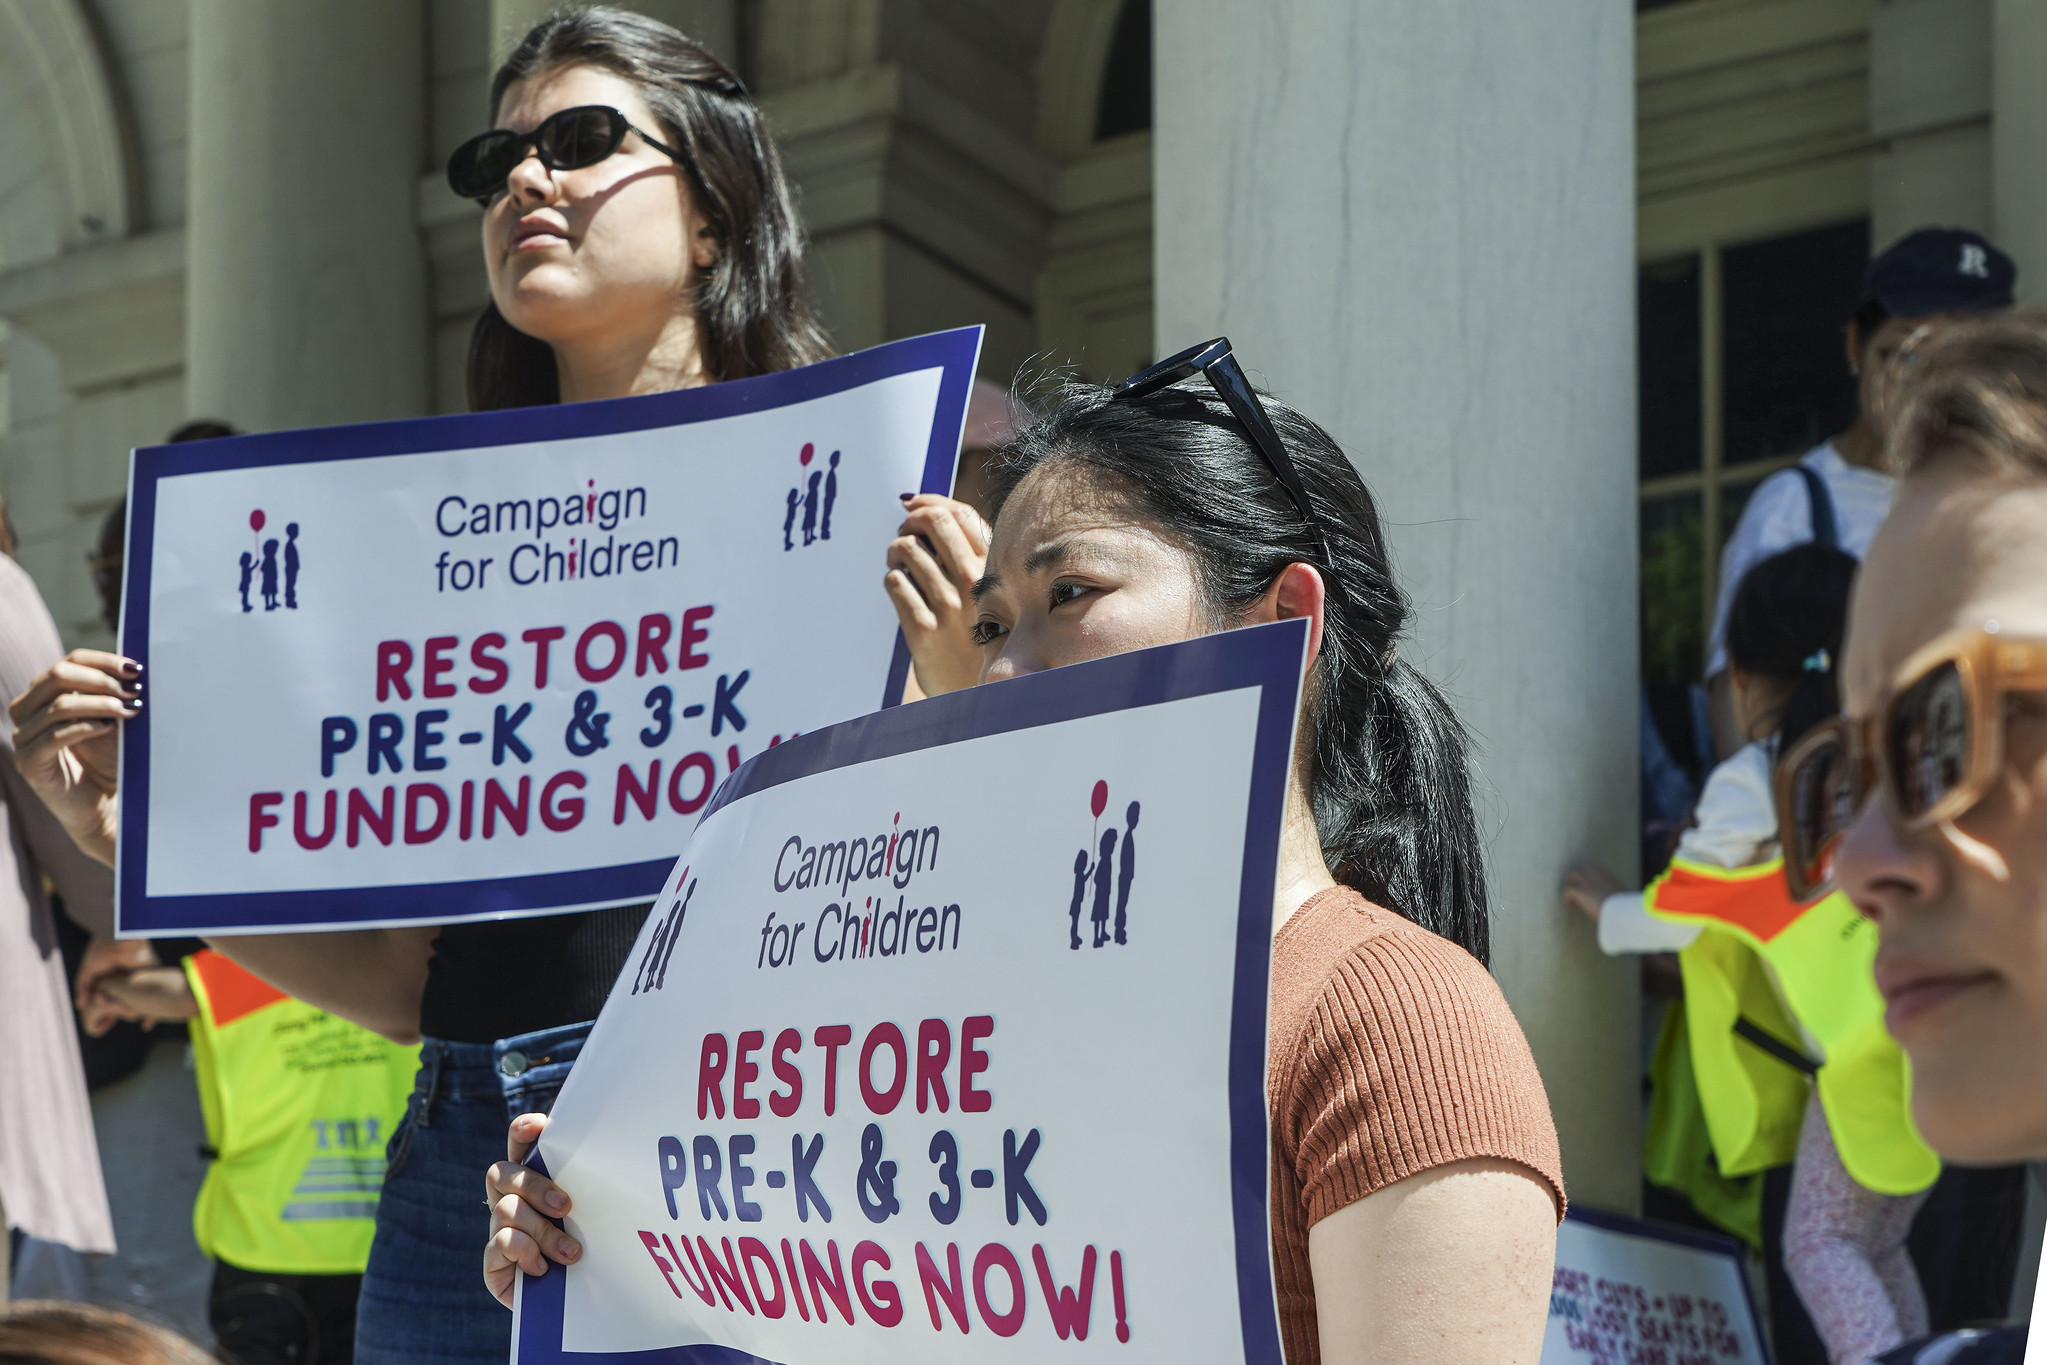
[(640, 236)]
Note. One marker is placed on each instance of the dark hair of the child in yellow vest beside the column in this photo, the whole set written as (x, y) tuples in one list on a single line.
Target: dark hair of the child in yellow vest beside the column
[(1786, 625)]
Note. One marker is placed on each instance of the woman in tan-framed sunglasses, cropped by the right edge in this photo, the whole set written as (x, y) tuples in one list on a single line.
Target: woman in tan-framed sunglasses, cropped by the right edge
[(1927, 801)]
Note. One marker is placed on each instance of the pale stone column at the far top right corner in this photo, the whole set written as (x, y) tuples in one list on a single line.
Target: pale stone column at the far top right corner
[(2019, 140)]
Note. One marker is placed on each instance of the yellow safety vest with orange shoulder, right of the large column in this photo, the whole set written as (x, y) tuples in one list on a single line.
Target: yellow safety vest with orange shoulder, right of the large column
[(1763, 967)]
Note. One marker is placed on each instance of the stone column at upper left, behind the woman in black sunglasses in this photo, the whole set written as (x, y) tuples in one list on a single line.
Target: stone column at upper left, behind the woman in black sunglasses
[(308, 277)]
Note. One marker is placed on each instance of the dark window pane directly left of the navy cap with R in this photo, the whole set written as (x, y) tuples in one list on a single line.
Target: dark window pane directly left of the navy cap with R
[(1784, 308)]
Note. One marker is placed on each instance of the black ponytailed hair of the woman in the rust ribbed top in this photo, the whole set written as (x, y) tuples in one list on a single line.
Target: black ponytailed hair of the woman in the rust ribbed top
[(1391, 783)]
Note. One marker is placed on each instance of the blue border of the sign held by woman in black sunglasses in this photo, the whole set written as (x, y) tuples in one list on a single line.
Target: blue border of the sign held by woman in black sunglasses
[(955, 353)]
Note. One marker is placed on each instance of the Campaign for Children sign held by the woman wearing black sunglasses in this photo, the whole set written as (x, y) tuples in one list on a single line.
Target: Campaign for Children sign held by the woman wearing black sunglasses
[(496, 664)]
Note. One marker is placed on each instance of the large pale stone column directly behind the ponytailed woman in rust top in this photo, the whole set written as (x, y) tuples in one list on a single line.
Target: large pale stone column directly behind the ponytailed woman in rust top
[(1416, 222)]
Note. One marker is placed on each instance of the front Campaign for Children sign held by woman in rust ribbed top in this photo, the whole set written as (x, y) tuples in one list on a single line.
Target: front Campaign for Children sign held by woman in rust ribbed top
[(947, 1041)]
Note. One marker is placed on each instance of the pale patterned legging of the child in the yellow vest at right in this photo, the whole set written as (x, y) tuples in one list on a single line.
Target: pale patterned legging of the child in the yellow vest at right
[(1845, 1249)]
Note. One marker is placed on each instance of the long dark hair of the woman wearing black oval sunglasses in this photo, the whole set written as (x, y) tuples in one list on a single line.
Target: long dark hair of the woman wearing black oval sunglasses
[(750, 308)]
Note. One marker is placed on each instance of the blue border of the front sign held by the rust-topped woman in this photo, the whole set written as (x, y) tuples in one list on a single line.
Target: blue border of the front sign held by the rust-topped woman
[(1268, 658)]
